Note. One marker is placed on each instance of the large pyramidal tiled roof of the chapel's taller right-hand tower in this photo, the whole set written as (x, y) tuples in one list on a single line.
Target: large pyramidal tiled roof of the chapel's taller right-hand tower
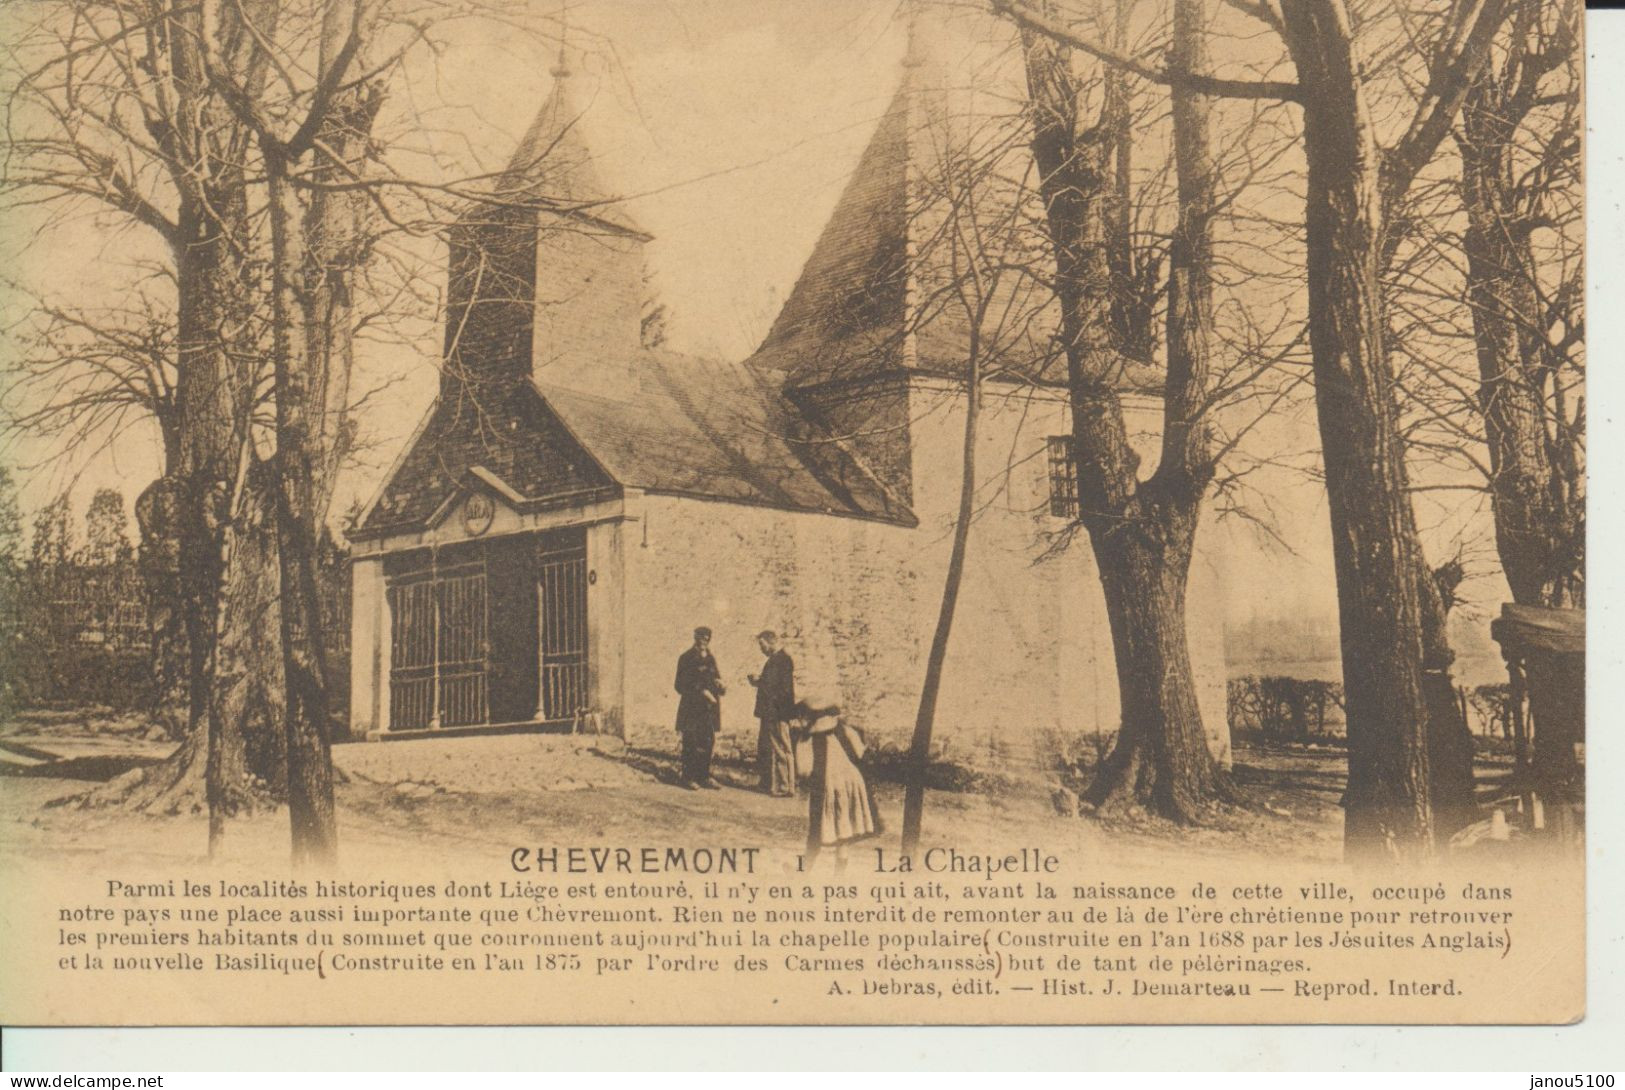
[(882, 290)]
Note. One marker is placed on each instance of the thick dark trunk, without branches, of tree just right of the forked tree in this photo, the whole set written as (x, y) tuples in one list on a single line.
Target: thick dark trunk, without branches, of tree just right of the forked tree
[(1376, 545)]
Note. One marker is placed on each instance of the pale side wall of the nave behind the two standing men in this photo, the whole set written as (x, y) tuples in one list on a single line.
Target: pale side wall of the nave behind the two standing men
[(841, 592)]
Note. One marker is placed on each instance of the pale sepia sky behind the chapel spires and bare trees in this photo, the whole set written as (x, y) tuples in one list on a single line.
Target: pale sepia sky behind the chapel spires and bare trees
[(732, 128)]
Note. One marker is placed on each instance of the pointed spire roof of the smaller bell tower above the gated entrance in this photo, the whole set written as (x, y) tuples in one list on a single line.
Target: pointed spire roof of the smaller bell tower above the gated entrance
[(553, 163)]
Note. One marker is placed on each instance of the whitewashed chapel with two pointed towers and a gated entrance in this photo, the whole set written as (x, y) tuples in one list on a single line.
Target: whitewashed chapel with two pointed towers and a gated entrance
[(574, 503)]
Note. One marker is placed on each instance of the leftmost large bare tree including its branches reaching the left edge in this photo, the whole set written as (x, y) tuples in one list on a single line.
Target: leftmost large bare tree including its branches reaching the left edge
[(110, 105)]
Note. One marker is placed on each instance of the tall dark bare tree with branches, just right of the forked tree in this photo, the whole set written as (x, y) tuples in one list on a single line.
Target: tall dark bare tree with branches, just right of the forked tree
[(1353, 188)]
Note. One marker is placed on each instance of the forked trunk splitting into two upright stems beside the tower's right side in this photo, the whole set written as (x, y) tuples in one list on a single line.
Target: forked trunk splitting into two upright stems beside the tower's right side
[(1143, 534)]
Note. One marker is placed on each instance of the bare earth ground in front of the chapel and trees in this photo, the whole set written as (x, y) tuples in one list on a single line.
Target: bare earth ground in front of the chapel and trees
[(456, 795)]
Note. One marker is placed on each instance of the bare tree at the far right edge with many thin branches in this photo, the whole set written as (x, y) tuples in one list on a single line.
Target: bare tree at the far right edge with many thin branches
[(1520, 184)]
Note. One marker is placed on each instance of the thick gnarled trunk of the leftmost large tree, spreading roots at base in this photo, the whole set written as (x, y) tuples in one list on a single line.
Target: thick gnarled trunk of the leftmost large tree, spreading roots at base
[(197, 508)]
